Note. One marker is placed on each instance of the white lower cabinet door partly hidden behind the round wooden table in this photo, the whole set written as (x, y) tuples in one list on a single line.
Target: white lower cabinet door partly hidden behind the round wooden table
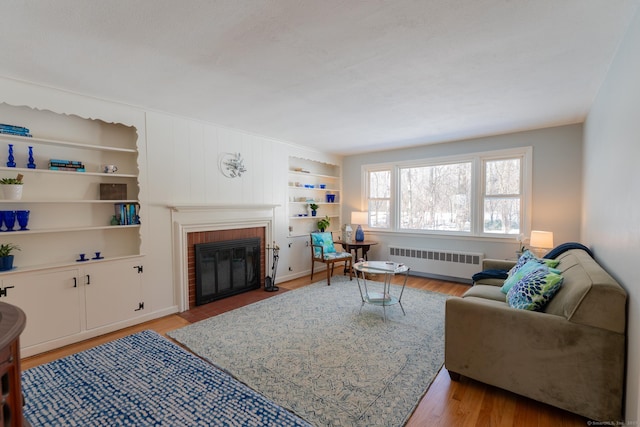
[(51, 302)]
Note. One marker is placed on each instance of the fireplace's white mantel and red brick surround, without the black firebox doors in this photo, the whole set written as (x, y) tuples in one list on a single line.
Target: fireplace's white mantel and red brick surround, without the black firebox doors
[(210, 223)]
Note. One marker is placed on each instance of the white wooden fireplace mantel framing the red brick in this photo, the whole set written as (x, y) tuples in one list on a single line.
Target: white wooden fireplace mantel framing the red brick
[(189, 218)]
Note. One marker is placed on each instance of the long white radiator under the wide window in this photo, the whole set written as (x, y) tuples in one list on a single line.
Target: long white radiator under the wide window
[(461, 265)]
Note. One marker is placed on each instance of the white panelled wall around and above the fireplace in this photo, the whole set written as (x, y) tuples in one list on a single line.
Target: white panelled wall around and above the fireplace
[(182, 165)]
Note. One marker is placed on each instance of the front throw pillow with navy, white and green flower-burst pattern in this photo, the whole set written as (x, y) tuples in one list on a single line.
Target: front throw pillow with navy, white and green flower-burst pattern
[(534, 290)]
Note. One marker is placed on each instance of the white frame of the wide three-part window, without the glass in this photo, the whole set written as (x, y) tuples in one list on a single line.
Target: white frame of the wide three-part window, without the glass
[(478, 162)]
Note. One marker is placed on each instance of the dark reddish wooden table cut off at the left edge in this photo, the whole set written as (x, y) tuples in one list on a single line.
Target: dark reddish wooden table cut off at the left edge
[(12, 323)]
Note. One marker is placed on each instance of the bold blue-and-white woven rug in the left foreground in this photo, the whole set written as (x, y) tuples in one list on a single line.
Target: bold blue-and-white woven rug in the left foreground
[(143, 380)]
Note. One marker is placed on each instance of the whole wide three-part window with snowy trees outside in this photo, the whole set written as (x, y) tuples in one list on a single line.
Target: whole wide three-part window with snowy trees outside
[(483, 194)]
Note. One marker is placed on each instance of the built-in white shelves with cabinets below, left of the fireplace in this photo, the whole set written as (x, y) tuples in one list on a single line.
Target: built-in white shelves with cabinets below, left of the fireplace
[(73, 257)]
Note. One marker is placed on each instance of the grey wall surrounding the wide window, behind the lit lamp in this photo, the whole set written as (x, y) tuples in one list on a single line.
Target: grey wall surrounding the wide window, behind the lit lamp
[(557, 184)]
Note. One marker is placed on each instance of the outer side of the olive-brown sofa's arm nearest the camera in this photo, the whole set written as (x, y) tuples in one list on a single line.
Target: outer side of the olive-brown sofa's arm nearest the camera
[(542, 356)]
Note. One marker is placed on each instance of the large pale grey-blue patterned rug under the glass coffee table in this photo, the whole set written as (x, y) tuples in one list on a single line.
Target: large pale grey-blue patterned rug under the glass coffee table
[(315, 352)]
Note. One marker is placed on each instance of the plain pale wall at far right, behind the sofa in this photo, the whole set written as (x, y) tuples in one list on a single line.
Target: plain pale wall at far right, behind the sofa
[(611, 207)]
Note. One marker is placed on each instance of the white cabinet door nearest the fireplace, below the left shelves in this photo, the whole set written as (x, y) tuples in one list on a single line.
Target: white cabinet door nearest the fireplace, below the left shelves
[(113, 292)]
